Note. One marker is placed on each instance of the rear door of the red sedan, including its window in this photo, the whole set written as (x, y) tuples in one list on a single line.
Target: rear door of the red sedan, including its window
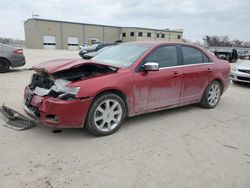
[(197, 69)]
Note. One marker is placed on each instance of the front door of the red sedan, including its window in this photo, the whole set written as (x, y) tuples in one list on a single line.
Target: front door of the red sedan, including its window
[(158, 89)]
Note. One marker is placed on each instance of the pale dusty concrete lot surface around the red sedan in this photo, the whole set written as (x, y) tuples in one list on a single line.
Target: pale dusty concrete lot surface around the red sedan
[(183, 147)]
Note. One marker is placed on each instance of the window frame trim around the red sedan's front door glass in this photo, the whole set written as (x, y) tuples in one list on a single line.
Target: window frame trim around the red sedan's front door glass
[(139, 69)]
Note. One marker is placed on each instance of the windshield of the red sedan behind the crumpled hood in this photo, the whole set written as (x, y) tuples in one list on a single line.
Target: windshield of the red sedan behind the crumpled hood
[(122, 55)]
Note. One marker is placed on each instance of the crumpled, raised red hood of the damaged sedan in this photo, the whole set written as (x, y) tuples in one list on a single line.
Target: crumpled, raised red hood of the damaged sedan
[(53, 66)]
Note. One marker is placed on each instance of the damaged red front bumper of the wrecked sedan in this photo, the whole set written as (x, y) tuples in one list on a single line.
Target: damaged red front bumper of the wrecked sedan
[(58, 113)]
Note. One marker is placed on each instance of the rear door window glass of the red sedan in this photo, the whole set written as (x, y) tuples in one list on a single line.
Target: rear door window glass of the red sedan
[(191, 55)]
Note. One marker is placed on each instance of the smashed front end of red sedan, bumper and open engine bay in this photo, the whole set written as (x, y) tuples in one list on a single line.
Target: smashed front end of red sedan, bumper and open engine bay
[(50, 97)]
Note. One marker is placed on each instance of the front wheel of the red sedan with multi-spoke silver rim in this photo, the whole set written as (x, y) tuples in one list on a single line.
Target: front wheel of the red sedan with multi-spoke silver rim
[(105, 115)]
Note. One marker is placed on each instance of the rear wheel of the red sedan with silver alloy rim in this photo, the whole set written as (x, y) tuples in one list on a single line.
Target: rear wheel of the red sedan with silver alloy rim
[(211, 97)]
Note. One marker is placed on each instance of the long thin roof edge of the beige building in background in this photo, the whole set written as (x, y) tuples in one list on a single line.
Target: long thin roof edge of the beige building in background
[(58, 21)]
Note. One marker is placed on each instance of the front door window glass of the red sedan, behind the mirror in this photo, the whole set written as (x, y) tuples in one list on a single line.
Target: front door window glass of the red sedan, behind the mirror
[(166, 56)]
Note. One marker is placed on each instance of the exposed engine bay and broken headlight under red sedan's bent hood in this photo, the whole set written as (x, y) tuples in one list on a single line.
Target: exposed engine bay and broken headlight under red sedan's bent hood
[(54, 85)]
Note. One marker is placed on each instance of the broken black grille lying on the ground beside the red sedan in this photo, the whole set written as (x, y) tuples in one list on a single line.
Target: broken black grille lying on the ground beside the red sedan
[(14, 120)]
